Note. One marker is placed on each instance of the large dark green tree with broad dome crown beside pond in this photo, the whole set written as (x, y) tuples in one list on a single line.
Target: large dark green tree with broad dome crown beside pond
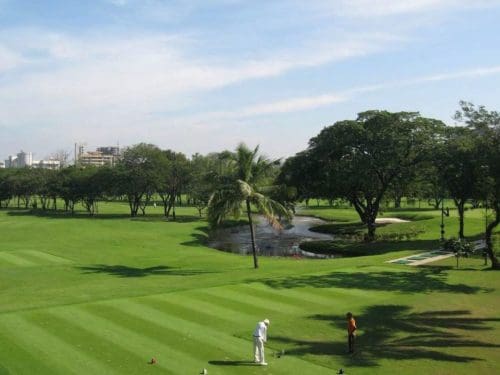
[(361, 159)]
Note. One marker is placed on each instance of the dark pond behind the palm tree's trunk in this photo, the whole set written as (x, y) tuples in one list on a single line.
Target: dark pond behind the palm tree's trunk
[(269, 241)]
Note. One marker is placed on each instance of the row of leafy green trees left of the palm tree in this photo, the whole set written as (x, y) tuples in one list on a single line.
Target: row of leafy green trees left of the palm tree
[(145, 172)]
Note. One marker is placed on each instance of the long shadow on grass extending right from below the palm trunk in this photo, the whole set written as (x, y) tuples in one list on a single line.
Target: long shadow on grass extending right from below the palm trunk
[(424, 280)]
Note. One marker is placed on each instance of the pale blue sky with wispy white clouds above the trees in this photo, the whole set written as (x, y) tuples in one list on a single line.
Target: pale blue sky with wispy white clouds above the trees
[(204, 75)]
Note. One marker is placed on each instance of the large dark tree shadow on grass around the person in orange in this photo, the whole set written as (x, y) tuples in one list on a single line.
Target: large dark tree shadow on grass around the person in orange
[(393, 332)]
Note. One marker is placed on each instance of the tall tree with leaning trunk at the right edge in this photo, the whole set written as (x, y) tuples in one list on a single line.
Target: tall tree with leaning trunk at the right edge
[(486, 128)]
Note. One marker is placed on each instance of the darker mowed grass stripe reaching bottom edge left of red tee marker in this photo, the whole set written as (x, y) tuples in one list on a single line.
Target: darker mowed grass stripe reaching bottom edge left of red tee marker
[(98, 345)]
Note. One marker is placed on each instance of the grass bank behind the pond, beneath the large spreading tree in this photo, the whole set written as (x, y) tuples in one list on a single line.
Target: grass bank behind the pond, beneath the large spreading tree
[(420, 234)]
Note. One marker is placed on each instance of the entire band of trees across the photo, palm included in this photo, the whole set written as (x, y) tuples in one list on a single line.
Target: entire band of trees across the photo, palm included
[(377, 156)]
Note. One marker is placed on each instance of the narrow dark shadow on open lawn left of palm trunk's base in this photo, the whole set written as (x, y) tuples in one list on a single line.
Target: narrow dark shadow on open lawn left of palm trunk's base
[(126, 271)]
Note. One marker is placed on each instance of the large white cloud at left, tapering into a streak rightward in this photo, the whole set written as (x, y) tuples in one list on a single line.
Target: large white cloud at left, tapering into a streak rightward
[(143, 74)]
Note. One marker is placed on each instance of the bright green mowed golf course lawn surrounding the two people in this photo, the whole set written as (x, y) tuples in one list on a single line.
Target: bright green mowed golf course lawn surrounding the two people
[(103, 295)]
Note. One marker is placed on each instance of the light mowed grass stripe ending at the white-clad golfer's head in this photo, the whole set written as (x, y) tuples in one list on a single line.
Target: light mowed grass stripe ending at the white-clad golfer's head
[(204, 305)]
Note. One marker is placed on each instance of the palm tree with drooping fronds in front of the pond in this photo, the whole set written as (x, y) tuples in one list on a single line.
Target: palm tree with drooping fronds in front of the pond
[(243, 189)]
